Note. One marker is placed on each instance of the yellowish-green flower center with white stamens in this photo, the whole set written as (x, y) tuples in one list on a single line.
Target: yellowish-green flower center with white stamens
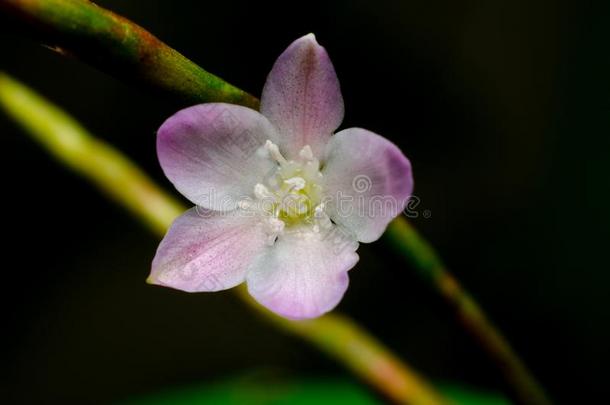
[(290, 197)]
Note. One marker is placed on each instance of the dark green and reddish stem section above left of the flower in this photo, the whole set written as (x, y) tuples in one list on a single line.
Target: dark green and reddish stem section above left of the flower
[(116, 45)]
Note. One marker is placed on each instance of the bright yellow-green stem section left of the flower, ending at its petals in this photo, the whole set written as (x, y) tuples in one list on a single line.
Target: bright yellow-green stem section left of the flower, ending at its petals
[(70, 143)]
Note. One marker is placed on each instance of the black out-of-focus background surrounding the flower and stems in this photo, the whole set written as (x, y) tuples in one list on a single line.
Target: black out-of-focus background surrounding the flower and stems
[(503, 108)]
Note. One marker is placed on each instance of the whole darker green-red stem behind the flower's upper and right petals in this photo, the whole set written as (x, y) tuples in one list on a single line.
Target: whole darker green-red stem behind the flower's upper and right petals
[(114, 44)]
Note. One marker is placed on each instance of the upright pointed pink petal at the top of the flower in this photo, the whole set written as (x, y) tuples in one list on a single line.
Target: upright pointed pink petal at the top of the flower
[(302, 97)]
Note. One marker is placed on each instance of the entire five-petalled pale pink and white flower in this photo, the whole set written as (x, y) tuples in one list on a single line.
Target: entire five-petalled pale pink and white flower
[(281, 202)]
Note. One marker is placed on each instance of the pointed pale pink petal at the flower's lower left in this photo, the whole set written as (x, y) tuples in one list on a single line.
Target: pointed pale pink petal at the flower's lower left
[(207, 250)]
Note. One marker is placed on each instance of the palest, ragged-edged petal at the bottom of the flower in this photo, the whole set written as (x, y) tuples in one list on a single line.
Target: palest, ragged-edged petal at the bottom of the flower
[(304, 275)]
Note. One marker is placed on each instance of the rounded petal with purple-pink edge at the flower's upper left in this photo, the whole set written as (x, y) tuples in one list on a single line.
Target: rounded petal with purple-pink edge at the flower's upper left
[(209, 152)]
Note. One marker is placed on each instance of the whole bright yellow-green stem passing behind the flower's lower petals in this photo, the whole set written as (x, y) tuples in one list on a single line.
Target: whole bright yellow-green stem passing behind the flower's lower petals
[(118, 177)]
